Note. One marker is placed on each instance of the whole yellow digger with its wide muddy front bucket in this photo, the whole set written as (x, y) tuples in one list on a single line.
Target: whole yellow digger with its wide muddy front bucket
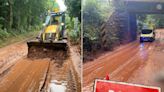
[(51, 39)]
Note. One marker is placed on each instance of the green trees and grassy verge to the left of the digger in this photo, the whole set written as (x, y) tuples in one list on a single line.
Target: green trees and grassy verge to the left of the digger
[(20, 17)]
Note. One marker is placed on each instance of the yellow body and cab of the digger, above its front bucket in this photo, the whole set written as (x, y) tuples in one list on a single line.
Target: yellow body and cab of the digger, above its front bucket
[(54, 26)]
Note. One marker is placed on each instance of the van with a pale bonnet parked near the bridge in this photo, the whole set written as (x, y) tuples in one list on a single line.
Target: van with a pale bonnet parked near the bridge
[(147, 35)]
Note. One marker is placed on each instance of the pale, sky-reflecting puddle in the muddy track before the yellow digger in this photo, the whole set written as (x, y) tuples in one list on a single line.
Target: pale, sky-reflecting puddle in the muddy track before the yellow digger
[(57, 86)]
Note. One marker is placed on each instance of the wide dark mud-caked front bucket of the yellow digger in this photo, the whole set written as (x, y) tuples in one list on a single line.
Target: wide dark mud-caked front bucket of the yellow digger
[(53, 50)]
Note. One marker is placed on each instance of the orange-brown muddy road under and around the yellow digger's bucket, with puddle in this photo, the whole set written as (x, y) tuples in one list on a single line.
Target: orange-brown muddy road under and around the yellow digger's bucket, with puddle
[(18, 73)]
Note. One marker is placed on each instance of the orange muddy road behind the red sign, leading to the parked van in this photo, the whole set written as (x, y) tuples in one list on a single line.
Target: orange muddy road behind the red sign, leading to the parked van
[(140, 63)]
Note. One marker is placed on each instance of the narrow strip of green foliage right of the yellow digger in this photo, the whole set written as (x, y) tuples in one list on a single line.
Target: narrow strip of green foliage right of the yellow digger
[(74, 11)]
